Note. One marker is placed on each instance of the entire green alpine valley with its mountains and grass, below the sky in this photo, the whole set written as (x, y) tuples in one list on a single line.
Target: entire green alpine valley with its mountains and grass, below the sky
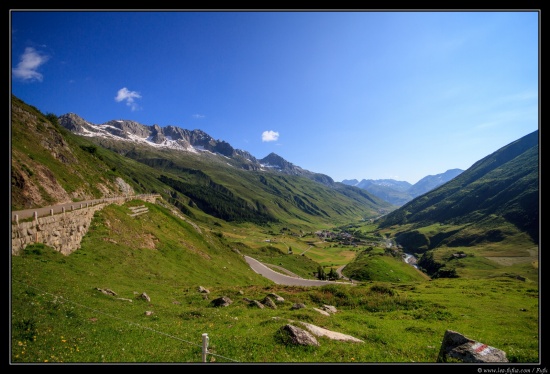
[(457, 252)]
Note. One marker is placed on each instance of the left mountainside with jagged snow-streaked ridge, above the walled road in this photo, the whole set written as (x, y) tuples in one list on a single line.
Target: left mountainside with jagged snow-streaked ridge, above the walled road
[(72, 159)]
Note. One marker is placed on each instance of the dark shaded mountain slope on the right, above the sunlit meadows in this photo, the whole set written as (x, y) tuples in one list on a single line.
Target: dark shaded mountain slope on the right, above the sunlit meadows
[(503, 186)]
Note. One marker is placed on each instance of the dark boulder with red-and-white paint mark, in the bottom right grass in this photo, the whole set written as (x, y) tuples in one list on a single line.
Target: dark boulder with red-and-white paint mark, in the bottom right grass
[(459, 347)]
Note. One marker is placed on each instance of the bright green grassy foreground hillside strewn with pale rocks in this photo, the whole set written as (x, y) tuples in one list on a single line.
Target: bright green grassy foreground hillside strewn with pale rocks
[(59, 315)]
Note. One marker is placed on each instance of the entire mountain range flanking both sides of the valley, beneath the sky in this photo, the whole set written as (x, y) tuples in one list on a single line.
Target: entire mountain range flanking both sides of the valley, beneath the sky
[(57, 159)]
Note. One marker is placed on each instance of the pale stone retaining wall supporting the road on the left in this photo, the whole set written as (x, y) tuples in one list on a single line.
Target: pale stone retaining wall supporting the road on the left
[(63, 231)]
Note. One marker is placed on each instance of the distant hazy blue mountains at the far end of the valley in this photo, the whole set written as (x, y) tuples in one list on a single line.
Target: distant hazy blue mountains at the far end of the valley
[(401, 192)]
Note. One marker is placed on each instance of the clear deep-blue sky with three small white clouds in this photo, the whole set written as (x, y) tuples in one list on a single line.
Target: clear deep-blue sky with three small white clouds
[(354, 95)]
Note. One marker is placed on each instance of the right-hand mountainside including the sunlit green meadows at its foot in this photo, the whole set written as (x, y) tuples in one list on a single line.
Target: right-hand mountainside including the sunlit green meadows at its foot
[(481, 222)]
